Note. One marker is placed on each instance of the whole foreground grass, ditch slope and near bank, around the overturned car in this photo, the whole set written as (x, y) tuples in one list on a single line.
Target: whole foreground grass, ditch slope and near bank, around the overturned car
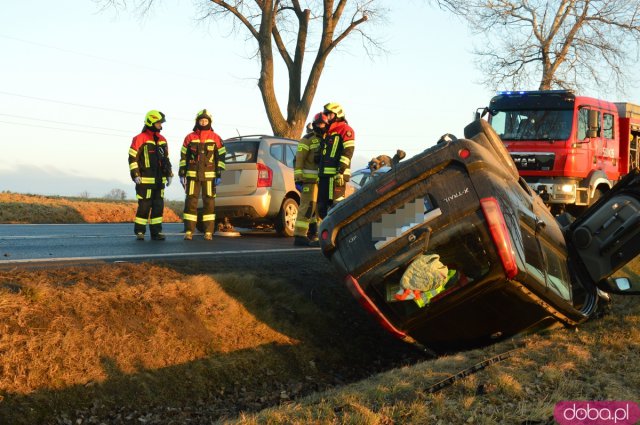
[(201, 341)]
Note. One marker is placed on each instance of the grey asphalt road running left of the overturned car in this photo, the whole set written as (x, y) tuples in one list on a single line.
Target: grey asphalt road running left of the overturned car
[(86, 243)]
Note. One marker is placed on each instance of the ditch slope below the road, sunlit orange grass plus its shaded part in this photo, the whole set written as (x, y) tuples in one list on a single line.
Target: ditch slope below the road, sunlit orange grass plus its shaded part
[(142, 337)]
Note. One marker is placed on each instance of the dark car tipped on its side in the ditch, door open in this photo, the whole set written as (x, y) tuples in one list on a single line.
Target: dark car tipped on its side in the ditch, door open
[(452, 249)]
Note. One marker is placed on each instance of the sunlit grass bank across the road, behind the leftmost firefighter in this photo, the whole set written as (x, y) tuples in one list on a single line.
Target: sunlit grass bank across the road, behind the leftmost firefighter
[(36, 209)]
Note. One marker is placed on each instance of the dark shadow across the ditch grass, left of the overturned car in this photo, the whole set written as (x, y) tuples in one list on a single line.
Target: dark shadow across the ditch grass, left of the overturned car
[(332, 341)]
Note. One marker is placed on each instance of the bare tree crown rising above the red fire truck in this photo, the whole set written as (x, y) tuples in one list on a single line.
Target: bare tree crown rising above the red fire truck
[(563, 43)]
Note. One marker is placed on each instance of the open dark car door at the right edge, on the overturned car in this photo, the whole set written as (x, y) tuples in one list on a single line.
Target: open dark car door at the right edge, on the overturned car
[(607, 235)]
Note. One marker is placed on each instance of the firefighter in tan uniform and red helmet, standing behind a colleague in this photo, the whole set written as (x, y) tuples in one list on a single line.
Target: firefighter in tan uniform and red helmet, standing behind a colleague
[(306, 179)]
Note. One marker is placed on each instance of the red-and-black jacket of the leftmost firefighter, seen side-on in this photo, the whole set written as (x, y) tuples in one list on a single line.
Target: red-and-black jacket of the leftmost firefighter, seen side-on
[(149, 159)]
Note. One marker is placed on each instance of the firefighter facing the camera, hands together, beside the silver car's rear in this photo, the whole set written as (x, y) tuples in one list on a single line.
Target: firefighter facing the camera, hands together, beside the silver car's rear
[(201, 165)]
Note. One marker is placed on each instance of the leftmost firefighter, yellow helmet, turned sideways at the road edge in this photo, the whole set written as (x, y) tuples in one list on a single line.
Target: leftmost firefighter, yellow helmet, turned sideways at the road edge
[(150, 169)]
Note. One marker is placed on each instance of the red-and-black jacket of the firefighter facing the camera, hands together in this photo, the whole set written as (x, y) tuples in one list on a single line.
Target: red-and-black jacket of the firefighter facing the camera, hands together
[(202, 156)]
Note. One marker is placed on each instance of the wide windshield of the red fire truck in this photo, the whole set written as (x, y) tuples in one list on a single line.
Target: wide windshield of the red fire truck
[(533, 124)]
